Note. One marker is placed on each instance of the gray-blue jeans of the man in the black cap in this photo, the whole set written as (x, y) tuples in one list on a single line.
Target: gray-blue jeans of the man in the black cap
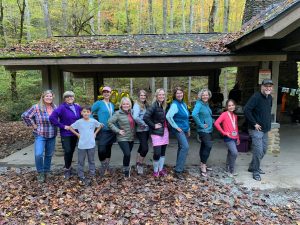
[(259, 149)]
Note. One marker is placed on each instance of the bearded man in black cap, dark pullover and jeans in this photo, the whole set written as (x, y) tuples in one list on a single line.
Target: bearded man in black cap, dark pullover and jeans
[(258, 114)]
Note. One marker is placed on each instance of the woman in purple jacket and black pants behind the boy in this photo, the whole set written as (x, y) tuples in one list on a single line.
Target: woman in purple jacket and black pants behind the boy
[(65, 115)]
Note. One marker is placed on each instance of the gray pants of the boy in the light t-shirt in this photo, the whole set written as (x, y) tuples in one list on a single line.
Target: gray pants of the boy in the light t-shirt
[(81, 159)]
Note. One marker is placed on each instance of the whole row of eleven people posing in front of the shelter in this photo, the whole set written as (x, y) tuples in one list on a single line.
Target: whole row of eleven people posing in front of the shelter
[(145, 121)]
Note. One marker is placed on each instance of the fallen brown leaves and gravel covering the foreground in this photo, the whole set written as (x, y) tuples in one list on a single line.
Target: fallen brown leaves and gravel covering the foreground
[(140, 200)]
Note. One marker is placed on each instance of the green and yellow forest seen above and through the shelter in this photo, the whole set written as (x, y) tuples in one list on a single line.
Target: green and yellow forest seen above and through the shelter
[(24, 21)]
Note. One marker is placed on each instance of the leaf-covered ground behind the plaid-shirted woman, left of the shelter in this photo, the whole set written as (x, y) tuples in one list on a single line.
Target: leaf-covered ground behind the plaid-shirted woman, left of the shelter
[(13, 137)]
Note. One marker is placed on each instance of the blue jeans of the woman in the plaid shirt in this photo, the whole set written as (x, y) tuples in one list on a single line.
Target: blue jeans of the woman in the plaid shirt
[(43, 152)]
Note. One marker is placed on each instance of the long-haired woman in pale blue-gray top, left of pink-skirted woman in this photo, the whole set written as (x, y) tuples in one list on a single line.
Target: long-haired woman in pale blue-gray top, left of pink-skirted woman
[(142, 129)]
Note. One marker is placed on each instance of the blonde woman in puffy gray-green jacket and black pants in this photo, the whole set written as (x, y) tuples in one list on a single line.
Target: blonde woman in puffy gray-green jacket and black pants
[(123, 125)]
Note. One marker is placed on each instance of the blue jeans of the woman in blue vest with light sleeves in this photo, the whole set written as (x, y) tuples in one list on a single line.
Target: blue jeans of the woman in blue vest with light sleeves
[(183, 149)]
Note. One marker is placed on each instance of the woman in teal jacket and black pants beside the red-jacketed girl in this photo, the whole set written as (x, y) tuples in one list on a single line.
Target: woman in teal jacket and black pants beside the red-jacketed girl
[(202, 116)]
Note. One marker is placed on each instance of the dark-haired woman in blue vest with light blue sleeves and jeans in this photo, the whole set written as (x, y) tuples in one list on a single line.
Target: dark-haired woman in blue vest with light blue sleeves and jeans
[(178, 118)]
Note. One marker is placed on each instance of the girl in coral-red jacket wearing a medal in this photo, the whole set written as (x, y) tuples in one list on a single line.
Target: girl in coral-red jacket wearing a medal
[(227, 124)]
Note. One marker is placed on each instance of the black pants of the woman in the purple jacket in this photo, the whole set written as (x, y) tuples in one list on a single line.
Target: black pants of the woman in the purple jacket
[(69, 145)]
